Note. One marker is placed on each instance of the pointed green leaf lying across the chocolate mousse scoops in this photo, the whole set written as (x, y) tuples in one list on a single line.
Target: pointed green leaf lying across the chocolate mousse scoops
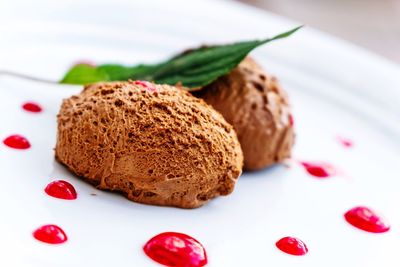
[(193, 69)]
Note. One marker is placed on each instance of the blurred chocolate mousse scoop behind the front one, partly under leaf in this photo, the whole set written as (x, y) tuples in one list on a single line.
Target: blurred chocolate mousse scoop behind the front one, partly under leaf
[(257, 107)]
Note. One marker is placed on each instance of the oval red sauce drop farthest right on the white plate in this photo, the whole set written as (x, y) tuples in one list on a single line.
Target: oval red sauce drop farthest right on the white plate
[(366, 219)]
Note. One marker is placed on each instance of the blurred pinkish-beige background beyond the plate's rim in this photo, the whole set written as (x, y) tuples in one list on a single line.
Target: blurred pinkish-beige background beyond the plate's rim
[(373, 24)]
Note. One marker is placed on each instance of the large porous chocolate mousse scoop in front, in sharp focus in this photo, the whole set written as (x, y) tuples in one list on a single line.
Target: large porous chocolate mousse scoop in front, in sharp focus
[(157, 144)]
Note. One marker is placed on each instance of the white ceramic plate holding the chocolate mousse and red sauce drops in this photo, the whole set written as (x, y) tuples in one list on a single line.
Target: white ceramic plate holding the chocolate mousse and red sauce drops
[(335, 88)]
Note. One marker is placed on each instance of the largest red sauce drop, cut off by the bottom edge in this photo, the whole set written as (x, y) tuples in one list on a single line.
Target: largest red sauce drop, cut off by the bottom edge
[(176, 249)]
